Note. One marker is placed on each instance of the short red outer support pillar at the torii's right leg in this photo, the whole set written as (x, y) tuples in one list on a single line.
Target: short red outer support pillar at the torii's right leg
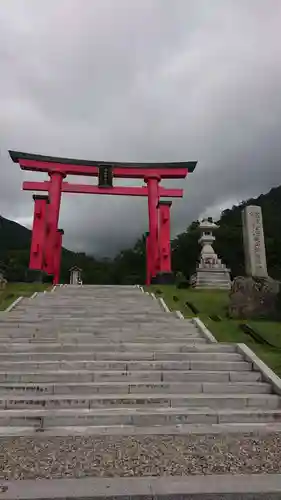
[(165, 274)]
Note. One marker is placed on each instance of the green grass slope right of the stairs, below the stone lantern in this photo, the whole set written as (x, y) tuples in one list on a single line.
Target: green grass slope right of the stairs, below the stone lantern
[(214, 303)]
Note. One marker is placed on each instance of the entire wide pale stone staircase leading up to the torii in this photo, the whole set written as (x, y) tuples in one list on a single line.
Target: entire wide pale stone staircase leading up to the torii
[(110, 357)]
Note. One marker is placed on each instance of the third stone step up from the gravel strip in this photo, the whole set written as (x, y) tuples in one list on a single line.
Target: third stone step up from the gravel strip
[(139, 400)]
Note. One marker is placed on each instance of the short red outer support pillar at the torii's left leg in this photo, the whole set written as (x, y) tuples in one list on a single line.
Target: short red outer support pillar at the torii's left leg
[(38, 239)]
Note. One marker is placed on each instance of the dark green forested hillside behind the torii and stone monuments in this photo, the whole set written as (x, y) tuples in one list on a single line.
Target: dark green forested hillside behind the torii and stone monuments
[(128, 267)]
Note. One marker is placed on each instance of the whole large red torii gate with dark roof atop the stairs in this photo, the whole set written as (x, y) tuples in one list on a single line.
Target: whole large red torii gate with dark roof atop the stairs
[(46, 210)]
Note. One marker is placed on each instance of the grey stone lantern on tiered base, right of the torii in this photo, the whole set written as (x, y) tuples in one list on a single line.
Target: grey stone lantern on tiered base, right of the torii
[(210, 271)]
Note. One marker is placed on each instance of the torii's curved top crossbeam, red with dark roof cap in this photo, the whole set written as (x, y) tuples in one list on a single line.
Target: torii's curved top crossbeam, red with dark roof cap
[(41, 163)]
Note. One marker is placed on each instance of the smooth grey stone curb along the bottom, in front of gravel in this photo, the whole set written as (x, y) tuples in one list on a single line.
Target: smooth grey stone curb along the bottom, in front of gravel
[(232, 487)]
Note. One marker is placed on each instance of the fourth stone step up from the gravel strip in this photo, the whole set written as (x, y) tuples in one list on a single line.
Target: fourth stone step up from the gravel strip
[(127, 387)]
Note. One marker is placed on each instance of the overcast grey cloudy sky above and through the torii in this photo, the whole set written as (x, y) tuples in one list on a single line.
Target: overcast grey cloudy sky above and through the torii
[(141, 80)]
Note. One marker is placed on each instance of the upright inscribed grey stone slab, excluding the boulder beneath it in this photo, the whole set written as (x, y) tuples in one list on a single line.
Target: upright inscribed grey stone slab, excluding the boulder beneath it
[(254, 246)]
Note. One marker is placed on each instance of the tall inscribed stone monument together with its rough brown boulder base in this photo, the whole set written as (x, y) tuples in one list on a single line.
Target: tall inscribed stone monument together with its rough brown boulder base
[(254, 295)]
